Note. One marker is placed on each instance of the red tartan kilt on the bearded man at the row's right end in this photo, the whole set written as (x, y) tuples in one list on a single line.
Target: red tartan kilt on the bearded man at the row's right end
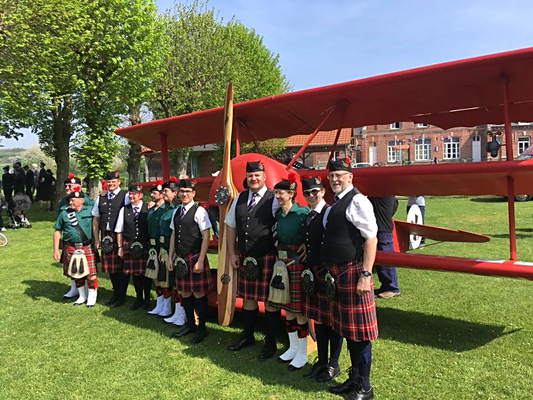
[(352, 316)]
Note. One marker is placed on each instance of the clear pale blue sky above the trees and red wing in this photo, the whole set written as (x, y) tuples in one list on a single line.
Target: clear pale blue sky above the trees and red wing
[(324, 42)]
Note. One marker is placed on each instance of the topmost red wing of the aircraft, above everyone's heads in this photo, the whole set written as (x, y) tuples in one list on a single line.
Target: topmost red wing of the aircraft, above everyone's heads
[(467, 92)]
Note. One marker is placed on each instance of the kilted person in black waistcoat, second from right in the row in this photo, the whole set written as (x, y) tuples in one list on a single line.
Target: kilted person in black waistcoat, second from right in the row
[(316, 305)]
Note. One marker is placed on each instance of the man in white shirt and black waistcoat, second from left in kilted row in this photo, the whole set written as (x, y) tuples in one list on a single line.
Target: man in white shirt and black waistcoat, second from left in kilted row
[(105, 214)]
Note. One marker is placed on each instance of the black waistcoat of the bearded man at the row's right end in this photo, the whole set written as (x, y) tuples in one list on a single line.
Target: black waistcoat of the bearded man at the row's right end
[(342, 241)]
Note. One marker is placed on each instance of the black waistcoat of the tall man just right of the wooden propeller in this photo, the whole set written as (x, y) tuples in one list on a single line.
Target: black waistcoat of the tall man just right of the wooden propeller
[(254, 230)]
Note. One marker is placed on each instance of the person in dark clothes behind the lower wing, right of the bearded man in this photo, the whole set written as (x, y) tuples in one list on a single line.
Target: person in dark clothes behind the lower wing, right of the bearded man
[(384, 209)]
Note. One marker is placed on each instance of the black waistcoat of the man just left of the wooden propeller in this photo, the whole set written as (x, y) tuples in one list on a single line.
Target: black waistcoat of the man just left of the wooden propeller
[(187, 234)]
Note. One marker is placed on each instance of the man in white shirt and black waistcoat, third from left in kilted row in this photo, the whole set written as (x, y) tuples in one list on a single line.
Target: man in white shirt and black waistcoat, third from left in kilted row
[(133, 244)]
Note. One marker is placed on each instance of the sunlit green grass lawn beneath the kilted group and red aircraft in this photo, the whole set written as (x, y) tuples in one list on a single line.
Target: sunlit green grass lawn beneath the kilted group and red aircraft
[(448, 336)]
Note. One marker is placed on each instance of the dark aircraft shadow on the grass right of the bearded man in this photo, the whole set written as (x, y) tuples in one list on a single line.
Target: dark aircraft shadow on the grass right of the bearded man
[(435, 331)]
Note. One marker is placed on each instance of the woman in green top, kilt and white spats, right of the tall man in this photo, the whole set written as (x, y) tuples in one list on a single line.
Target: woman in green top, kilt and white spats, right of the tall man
[(289, 237)]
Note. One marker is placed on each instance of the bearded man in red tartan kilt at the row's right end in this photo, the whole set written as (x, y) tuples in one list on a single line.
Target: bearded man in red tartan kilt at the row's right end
[(348, 252)]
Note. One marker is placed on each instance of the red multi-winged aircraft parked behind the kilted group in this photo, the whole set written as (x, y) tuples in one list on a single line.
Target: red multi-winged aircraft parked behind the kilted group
[(495, 89)]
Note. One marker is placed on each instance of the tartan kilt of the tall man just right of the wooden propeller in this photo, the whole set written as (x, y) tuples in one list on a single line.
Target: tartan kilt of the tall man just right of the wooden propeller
[(256, 289)]
